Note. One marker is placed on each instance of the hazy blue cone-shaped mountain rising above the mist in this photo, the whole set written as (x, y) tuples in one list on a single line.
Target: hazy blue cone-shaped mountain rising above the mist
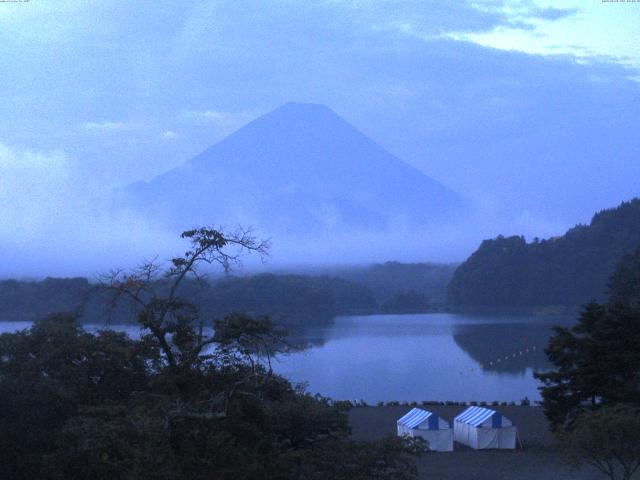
[(298, 170)]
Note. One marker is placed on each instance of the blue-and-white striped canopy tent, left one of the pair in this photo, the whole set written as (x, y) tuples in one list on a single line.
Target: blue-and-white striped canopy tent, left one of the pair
[(427, 425)]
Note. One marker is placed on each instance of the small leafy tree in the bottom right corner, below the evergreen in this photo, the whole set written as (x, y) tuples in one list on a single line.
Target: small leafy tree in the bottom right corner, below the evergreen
[(607, 439)]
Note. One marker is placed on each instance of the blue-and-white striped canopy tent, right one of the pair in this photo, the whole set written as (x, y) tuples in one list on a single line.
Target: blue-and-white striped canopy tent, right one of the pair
[(482, 428)]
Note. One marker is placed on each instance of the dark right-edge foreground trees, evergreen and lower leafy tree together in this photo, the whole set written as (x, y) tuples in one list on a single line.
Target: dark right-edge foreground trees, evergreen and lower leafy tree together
[(592, 397)]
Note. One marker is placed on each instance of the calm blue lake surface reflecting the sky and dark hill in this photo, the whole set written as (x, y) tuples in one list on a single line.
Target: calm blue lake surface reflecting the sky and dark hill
[(415, 357)]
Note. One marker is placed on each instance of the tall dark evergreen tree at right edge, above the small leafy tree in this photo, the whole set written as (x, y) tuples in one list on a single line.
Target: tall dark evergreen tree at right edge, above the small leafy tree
[(598, 360)]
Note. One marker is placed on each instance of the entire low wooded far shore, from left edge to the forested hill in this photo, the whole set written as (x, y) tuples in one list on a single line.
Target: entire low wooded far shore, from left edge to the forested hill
[(290, 299)]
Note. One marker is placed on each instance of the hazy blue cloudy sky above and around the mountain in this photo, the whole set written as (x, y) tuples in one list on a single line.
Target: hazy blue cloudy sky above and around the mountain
[(527, 107)]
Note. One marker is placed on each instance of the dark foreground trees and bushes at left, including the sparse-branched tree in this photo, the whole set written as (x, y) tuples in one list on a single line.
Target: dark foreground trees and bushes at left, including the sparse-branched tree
[(175, 404)]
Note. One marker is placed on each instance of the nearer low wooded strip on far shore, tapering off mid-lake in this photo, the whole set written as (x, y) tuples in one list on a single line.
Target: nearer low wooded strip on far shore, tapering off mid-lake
[(293, 300)]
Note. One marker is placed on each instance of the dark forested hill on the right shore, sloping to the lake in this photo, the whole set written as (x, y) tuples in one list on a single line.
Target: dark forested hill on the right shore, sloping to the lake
[(568, 270)]
